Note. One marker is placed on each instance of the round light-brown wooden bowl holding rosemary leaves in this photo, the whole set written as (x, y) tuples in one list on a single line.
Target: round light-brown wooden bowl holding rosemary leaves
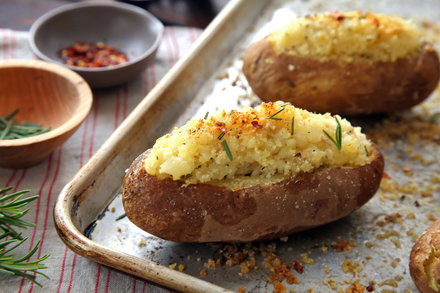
[(46, 94)]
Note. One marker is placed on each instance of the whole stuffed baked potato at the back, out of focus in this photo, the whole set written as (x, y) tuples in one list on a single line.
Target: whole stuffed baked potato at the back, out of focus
[(344, 63)]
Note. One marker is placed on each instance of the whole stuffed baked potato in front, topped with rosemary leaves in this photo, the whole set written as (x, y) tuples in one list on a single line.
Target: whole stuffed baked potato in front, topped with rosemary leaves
[(254, 174)]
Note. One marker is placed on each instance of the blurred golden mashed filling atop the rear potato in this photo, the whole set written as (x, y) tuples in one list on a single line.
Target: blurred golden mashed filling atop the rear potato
[(350, 36)]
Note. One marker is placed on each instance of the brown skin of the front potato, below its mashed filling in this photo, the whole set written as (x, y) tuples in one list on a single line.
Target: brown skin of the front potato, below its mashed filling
[(208, 213)]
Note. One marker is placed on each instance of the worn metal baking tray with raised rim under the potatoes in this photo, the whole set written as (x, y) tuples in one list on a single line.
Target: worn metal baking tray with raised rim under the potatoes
[(380, 235)]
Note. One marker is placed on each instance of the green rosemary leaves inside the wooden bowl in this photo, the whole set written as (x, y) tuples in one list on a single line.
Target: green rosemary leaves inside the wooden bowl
[(11, 129)]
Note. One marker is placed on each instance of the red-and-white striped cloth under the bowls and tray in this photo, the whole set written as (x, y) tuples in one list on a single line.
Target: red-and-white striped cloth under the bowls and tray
[(67, 271)]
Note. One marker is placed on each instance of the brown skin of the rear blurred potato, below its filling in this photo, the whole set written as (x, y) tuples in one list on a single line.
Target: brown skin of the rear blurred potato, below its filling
[(340, 87)]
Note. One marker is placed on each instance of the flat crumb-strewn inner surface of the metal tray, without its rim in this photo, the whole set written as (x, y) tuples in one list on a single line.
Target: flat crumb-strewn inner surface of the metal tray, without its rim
[(382, 249)]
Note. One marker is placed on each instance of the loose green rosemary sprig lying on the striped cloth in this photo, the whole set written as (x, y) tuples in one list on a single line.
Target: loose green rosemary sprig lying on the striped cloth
[(10, 215)]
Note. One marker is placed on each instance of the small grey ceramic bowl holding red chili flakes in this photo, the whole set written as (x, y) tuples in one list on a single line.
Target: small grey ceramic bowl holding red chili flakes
[(128, 28)]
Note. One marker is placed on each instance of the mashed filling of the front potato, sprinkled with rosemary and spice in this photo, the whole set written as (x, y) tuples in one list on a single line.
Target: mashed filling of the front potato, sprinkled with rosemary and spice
[(261, 145)]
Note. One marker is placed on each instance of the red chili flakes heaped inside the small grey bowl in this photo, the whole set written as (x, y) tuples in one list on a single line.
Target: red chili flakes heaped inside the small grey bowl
[(92, 55)]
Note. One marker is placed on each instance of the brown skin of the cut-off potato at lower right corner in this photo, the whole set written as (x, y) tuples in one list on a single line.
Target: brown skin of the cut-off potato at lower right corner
[(426, 252)]
